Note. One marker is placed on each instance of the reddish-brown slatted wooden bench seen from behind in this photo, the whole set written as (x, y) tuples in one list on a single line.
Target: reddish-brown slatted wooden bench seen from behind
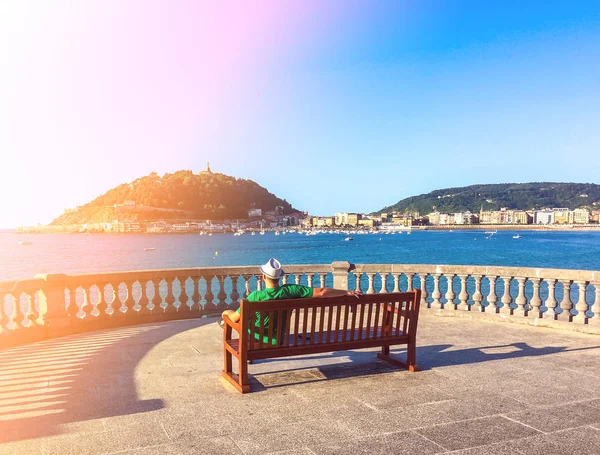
[(310, 326)]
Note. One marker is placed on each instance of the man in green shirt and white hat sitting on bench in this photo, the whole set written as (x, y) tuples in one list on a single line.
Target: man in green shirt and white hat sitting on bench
[(271, 274)]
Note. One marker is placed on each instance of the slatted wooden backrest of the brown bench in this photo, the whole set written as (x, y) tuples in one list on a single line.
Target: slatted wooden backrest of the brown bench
[(305, 322)]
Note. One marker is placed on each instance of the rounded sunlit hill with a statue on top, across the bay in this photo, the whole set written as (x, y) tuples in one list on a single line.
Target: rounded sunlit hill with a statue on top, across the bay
[(181, 195)]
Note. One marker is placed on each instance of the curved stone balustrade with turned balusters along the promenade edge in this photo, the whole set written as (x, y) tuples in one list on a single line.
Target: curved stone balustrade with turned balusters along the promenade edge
[(56, 305)]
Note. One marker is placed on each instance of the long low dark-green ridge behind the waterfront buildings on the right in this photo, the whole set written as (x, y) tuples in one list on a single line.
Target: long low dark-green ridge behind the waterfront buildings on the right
[(516, 196)]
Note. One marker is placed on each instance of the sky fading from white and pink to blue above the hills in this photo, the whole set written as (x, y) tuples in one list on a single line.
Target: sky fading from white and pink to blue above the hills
[(367, 103)]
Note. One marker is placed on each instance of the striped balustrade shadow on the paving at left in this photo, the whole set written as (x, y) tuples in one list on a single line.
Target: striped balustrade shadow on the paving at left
[(46, 385)]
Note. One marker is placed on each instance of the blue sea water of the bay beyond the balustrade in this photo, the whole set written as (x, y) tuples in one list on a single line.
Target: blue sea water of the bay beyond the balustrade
[(95, 253)]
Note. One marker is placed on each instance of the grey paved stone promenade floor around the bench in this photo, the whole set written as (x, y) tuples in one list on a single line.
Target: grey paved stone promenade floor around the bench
[(486, 389)]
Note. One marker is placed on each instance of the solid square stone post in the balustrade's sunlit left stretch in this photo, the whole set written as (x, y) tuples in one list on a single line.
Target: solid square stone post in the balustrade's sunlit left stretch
[(52, 304)]
